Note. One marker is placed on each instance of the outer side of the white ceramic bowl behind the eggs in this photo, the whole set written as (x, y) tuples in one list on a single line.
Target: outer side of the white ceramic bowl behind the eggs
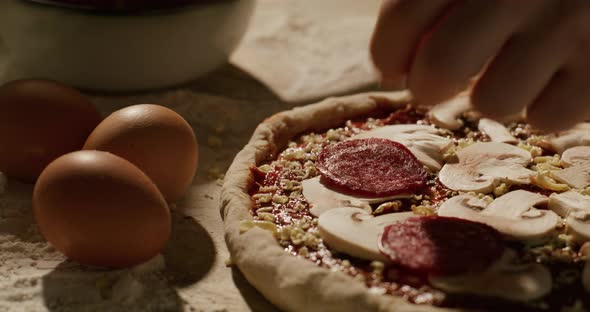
[(118, 52)]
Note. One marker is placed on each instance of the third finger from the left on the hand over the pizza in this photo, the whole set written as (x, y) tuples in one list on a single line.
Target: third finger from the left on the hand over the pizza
[(525, 65)]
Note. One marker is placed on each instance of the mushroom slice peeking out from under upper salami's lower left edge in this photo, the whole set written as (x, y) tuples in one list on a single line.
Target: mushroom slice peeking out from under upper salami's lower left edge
[(322, 199)]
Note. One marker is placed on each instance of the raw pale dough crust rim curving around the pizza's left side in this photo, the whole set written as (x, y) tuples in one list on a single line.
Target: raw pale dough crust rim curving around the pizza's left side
[(291, 283)]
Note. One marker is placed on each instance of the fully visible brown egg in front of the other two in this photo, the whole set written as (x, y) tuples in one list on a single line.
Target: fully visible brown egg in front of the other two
[(99, 209)]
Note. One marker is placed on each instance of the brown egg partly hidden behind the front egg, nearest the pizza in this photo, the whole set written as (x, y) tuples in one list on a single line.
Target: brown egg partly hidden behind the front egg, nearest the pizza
[(156, 139)]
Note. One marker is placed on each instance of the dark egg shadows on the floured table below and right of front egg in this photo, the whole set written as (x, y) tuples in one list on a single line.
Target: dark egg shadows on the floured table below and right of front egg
[(151, 286)]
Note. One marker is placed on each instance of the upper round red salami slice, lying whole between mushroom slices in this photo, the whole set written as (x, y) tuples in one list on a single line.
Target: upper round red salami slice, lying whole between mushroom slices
[(372, 167)]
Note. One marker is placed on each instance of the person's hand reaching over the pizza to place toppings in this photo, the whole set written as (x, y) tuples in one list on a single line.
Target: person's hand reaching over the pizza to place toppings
[(532, 55)]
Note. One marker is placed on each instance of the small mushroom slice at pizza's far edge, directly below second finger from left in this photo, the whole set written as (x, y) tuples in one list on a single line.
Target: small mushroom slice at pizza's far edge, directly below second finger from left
[(446, 114)]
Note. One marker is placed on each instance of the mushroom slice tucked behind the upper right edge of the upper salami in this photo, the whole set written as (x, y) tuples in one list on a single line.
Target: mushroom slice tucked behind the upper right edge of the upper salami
[(422, 140)]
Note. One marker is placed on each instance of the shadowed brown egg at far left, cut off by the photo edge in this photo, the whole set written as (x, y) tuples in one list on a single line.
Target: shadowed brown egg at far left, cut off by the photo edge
[(41, 120)]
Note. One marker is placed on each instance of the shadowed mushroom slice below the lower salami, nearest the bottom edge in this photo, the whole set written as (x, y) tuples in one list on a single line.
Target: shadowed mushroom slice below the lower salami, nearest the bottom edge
[(504, 279)]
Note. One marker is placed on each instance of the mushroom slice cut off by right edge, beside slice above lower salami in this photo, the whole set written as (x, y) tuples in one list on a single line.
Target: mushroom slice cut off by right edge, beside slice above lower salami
[(575, 208)]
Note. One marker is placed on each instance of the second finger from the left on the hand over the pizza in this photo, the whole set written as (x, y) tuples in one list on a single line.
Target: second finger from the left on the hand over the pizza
[(460, 45)]
